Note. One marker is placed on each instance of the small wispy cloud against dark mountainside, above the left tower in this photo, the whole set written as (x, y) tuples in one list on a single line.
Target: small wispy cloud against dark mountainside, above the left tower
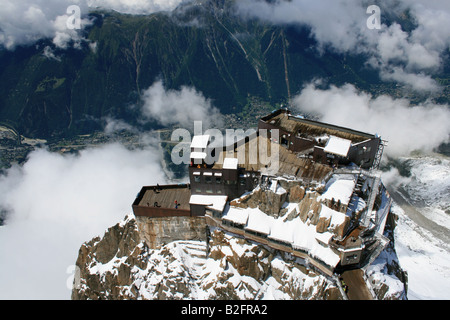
[(179, 107)]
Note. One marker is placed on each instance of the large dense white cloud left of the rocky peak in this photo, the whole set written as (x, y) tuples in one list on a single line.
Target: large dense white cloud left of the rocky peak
[(56, 203)]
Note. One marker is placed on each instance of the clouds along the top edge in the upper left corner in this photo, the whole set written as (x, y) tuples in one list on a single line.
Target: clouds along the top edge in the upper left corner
[(23, 22)]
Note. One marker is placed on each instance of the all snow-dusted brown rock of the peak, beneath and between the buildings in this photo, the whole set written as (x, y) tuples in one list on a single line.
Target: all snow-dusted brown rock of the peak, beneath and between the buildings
[(184, 258)]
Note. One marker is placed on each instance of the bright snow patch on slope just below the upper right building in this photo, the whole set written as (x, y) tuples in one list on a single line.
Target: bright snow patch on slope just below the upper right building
[(339, 187)]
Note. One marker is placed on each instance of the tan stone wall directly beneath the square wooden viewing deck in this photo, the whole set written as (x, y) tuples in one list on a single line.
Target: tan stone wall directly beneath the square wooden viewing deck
[(156, 231)]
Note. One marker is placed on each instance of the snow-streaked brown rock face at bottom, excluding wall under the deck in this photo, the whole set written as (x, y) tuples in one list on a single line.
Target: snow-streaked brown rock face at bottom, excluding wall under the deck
[(121, 266)]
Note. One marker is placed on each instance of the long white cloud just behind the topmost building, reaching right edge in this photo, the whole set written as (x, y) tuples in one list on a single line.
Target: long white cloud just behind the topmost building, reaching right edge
[(406, 127)]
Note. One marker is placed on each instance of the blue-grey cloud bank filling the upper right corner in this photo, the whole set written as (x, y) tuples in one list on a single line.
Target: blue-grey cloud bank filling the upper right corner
[(408, 58)]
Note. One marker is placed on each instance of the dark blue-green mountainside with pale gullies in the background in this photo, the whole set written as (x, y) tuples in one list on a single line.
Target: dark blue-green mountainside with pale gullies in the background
[(48, 92)]
